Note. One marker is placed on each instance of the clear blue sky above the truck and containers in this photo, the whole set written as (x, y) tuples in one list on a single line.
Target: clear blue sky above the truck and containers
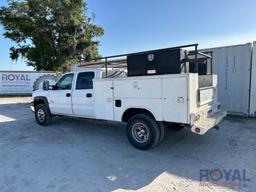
[(137, 25)]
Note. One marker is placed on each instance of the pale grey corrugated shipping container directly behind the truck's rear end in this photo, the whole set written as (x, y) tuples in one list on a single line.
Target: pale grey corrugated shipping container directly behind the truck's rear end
[(232, 64)]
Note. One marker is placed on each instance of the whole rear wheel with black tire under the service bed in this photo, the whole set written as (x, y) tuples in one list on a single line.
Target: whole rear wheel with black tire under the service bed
[(151, 132)]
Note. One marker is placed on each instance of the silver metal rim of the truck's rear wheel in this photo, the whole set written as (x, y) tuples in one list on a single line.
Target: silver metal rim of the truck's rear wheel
[(140, 132)]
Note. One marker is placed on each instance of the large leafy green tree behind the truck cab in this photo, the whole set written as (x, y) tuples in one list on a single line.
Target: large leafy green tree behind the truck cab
[(50, 34)]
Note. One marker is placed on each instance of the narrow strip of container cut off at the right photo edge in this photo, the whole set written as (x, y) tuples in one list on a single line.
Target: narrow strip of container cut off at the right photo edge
[(253, 82)]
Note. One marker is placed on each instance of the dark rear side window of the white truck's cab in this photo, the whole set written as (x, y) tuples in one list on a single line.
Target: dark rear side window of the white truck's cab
[(84, 80)]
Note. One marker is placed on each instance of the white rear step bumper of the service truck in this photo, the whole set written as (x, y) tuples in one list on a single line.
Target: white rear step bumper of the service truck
[(205, 123)]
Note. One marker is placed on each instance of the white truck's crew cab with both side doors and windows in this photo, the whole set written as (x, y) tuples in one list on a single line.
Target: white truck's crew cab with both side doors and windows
[(73, 94)]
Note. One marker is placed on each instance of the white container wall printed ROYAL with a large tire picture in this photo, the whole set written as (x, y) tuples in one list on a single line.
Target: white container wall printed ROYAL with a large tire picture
[(23, 82)]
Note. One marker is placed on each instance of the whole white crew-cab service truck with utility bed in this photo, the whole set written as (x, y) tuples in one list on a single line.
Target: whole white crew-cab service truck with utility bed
[(147, 103)]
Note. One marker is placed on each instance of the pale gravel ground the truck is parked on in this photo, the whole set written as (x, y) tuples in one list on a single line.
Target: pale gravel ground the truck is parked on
[(84, 155)]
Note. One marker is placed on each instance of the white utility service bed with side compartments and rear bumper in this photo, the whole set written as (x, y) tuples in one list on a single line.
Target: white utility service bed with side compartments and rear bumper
[(170, 98)]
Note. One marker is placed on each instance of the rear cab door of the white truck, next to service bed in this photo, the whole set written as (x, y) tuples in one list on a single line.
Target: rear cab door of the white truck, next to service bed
[(82, 96)]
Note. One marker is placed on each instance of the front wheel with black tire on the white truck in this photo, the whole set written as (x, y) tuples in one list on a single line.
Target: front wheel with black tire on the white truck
[(42, 114)]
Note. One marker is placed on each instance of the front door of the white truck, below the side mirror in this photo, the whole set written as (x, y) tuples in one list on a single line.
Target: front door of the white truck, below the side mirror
[(60, 96)]
